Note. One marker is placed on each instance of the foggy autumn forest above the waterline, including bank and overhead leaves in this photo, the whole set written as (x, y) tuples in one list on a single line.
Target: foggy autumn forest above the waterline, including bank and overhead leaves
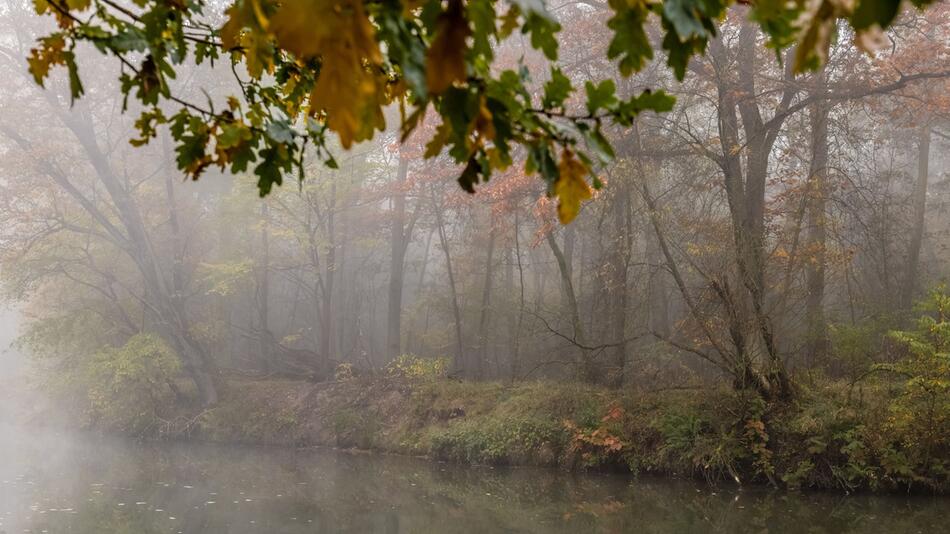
[(722, 259)]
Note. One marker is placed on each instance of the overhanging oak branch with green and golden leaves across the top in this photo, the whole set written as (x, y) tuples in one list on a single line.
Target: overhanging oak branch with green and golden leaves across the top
[(331, 66)]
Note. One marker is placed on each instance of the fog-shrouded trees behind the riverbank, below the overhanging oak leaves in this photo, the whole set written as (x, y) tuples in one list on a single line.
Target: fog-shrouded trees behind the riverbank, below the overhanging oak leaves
[(387, 256)]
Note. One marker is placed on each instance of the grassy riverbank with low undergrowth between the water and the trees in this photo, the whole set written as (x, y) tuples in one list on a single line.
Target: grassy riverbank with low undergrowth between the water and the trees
[(835, 436)]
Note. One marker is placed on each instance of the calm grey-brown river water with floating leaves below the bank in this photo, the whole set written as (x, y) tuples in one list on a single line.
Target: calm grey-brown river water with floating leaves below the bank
[(55, 483)]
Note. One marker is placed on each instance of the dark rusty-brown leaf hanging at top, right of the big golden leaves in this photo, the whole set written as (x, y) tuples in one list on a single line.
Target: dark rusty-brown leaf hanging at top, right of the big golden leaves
[(445, 59)]
